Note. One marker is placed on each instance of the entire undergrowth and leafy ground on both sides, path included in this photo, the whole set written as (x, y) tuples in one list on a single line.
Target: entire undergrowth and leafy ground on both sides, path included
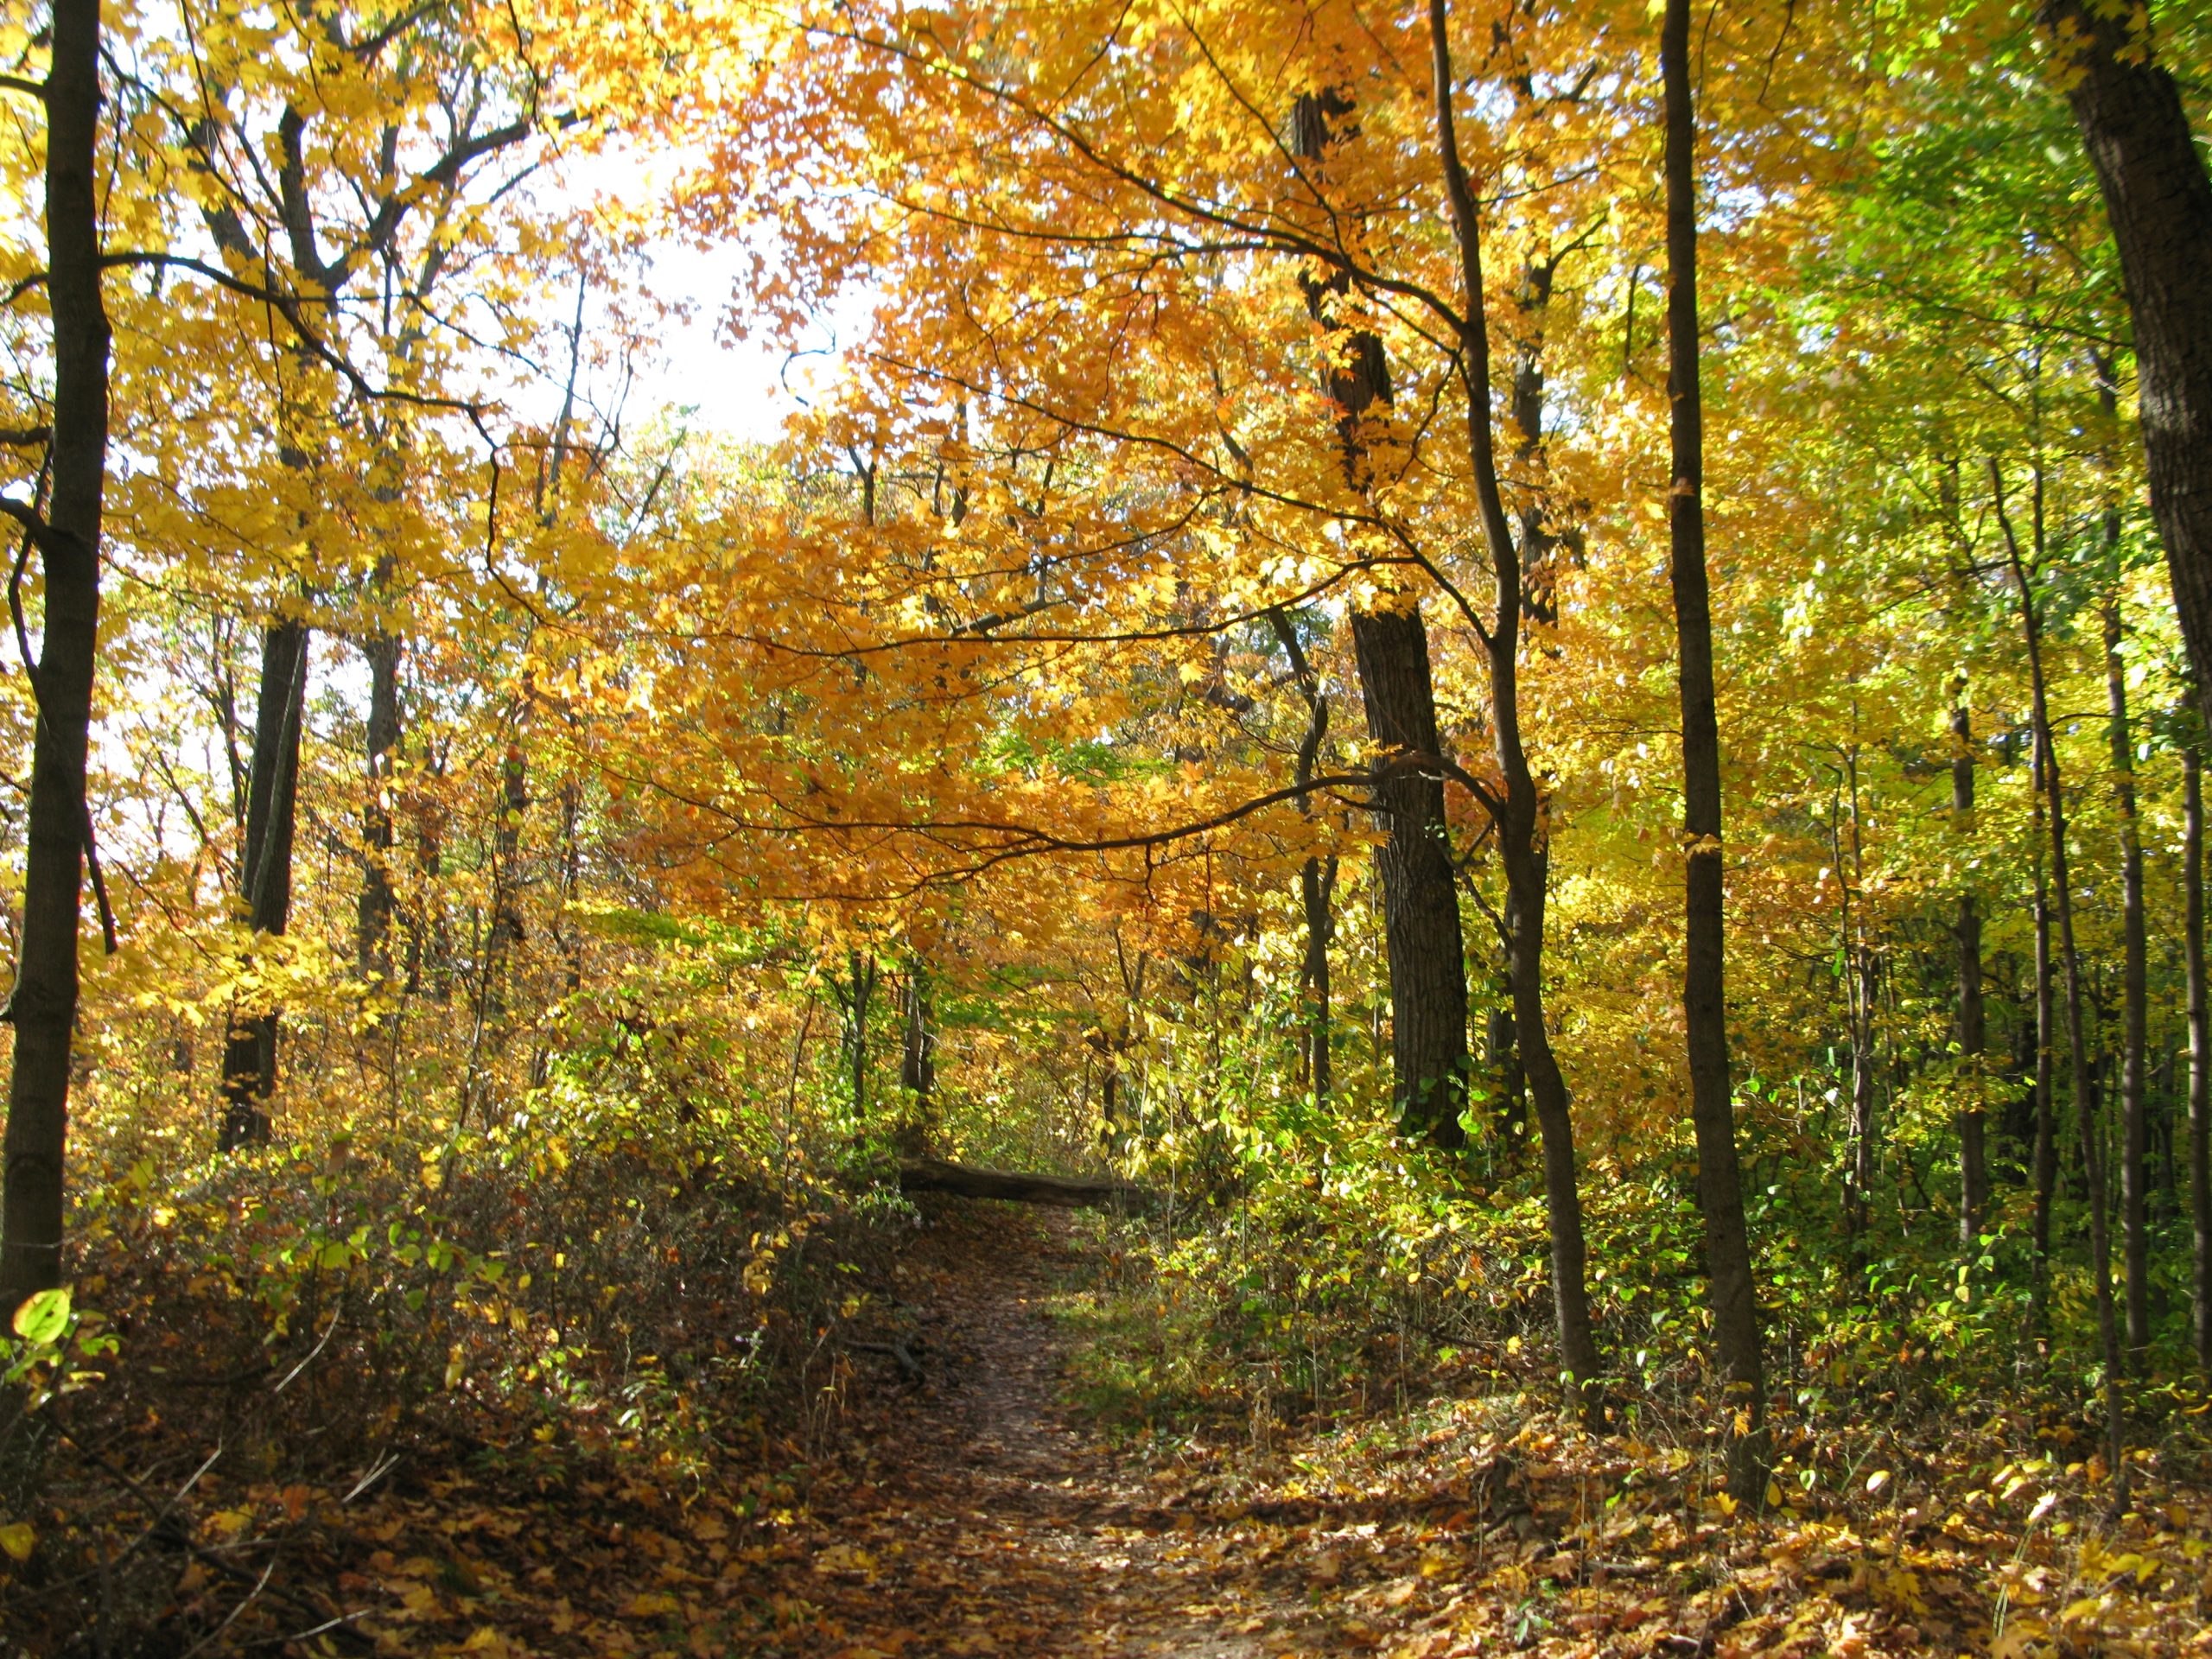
[(578, 1392)]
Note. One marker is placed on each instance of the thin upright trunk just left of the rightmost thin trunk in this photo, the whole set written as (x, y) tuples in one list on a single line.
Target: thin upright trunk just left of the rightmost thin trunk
[(2136, 977)]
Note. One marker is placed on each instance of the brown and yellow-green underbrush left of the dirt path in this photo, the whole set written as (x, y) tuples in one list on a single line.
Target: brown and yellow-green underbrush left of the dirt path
[(271, 1359)]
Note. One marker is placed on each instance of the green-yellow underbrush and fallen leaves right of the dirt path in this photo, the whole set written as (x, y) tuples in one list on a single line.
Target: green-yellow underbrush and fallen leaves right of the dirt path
[(1355, 1322)]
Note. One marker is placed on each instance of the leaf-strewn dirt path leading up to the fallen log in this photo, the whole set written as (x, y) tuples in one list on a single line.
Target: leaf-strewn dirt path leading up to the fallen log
[(992, 1523)]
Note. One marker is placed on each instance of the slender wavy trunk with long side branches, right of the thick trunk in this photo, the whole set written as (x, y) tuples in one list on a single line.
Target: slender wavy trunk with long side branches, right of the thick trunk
[(1519, 811)]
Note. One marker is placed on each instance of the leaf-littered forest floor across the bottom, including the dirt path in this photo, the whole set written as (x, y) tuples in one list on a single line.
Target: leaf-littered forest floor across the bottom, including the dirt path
[(981, 1510)]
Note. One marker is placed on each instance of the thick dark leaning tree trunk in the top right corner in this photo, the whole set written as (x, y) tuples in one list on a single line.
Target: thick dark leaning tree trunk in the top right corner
[(2158, 198)]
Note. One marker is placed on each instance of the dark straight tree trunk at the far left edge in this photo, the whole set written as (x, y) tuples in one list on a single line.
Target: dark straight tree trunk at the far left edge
[(45, 999)]
